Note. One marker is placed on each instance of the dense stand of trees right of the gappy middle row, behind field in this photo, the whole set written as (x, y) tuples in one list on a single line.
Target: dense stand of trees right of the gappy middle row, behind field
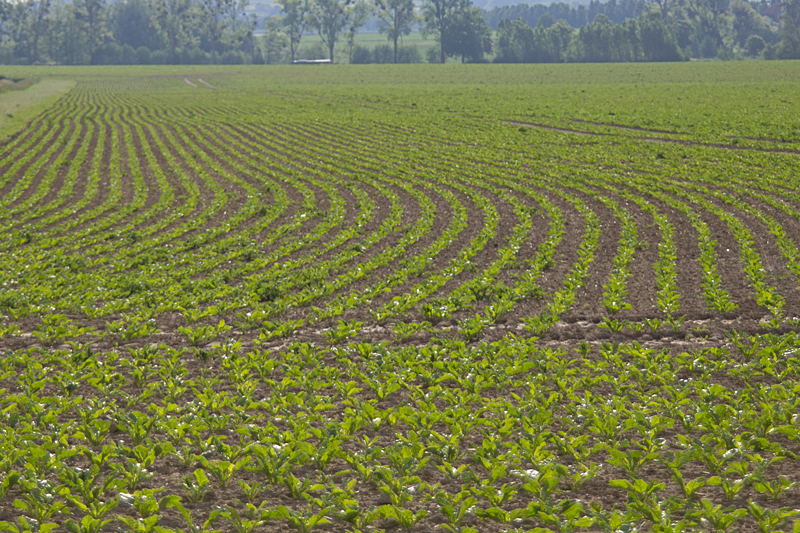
[(662, 30)]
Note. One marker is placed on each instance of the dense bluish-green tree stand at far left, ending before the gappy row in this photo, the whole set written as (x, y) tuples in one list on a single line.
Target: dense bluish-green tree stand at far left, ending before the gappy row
[(99, 32)]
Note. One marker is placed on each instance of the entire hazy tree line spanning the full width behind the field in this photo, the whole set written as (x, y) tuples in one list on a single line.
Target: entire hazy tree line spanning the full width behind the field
[(102, 32)]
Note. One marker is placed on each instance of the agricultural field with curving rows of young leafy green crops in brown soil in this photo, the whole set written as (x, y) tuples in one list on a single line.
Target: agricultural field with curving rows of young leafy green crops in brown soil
[(458, 298)]
